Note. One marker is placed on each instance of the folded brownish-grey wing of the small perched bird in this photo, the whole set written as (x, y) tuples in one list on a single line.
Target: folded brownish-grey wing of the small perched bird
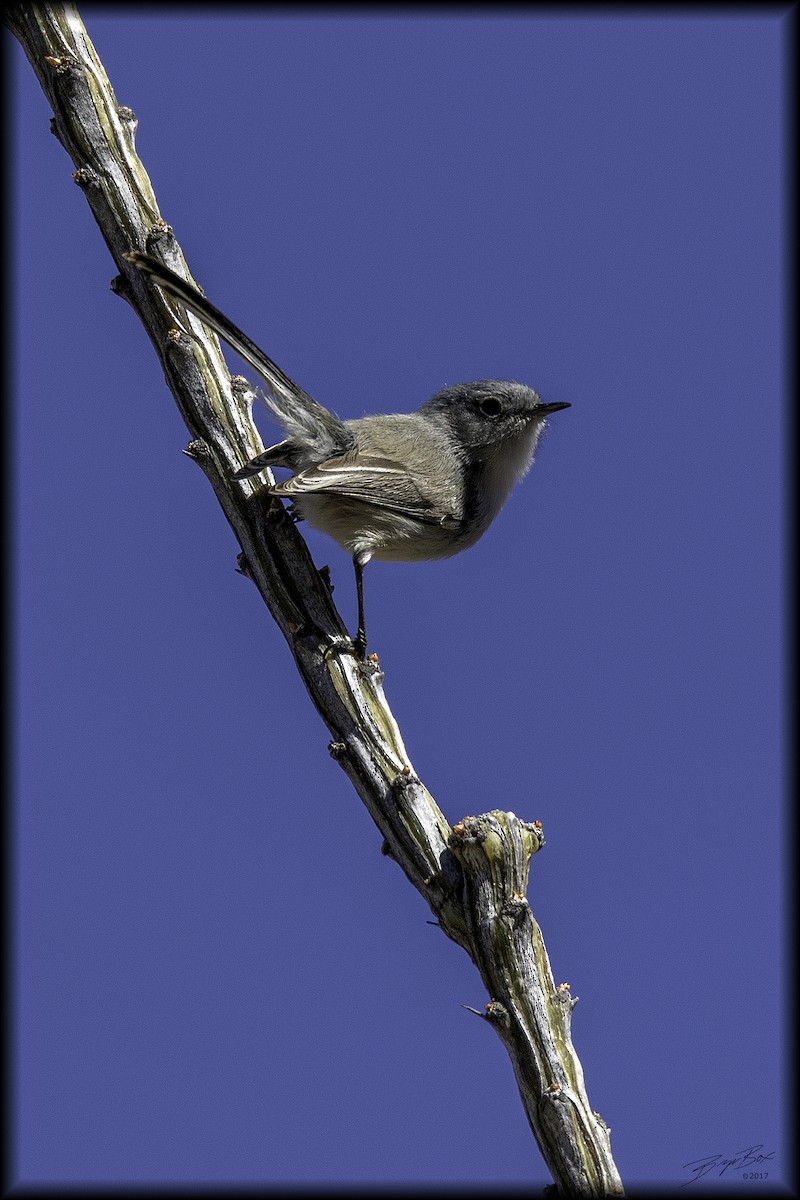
[(370, 478)]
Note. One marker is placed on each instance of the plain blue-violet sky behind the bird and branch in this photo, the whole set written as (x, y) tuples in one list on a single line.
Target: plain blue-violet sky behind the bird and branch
[(220, 976)]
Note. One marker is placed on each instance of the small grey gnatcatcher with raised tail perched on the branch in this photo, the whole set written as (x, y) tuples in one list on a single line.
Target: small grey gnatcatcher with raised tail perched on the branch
[(404, 488)]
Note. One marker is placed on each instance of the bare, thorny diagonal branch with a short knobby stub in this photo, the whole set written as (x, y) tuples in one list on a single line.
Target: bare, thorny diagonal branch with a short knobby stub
[(476, 875)]
